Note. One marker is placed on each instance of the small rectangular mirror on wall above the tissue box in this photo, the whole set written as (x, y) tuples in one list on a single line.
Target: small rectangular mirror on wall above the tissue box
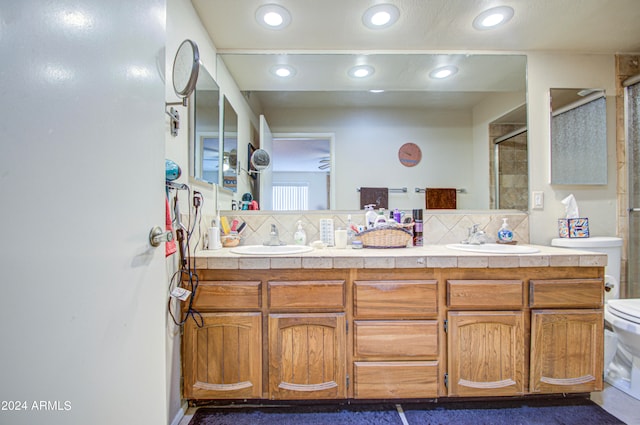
[(578, 136)]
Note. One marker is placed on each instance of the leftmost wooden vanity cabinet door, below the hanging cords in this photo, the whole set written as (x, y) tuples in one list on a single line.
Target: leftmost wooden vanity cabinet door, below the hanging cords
[(223, 359)]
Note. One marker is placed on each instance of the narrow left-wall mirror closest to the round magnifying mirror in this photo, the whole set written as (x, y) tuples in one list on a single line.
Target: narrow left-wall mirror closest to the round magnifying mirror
[(205, 139)]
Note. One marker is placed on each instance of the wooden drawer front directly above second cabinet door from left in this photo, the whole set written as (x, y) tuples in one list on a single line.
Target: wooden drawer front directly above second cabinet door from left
[(312, 294)]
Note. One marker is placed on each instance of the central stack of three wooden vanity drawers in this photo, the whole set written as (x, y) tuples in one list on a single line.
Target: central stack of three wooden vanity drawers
[(395, 338)]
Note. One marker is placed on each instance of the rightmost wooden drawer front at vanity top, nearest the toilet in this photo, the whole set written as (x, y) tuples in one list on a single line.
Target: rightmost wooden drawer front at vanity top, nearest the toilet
[(585, 293)]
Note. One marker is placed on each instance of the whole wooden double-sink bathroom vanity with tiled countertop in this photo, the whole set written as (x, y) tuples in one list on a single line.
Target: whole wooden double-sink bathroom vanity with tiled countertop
[(411, 323)]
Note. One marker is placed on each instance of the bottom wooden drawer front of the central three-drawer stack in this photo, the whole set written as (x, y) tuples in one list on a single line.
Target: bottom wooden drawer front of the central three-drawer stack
[(396, 379)]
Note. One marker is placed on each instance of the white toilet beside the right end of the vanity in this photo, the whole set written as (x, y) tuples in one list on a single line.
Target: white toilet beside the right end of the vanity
[(622, 346)]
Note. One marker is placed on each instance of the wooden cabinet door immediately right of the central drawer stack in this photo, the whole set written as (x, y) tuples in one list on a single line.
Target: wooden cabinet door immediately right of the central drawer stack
[(486, 353)]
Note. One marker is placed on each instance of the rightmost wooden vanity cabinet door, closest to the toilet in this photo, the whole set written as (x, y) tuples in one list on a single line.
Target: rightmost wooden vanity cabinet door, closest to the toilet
[(566, 351)]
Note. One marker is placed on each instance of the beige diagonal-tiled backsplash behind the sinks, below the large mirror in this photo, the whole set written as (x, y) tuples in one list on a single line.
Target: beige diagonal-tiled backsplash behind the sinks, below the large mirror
[(439, 227)]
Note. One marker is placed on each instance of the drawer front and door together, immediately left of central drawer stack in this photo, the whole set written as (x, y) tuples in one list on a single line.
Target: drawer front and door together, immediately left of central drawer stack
[(307, 350)]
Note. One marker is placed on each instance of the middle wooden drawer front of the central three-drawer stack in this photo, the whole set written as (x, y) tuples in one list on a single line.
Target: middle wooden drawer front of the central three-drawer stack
[(387, 340)]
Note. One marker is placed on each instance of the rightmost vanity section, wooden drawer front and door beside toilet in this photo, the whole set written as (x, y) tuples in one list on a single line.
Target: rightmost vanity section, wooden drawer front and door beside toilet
[(567, 327)]
